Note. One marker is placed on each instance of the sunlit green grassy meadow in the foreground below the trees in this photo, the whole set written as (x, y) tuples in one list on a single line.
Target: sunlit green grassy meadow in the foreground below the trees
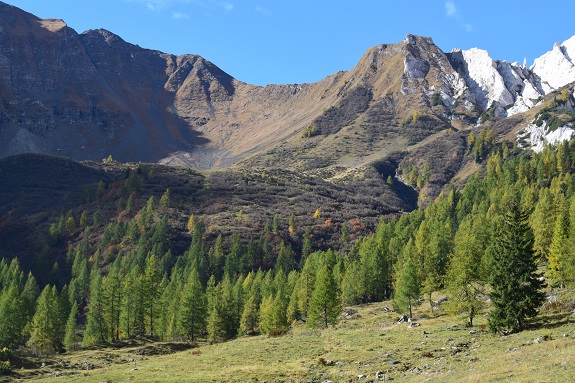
[(440, 349)]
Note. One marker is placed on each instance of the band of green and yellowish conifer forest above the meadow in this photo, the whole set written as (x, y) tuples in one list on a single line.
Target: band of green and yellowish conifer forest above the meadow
[(475, 242)]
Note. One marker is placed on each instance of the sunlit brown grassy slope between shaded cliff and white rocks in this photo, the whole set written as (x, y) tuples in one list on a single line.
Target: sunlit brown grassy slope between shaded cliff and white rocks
[(357, 114)]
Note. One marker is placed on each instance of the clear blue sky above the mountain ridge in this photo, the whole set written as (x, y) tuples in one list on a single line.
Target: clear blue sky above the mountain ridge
[(271, 41)]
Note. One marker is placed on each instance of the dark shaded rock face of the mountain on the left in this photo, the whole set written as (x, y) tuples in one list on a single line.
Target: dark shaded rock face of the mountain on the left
[(83, 96)]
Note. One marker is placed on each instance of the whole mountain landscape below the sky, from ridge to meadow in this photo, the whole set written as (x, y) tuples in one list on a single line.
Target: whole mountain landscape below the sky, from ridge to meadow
[(148, 198)]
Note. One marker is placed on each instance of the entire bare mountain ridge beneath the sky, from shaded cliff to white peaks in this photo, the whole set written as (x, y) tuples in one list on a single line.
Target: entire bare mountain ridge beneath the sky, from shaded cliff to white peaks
[(91, 95)]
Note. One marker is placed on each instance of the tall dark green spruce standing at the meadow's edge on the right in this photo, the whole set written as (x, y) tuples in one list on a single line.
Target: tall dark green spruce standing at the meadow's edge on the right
[(516, 288)]
